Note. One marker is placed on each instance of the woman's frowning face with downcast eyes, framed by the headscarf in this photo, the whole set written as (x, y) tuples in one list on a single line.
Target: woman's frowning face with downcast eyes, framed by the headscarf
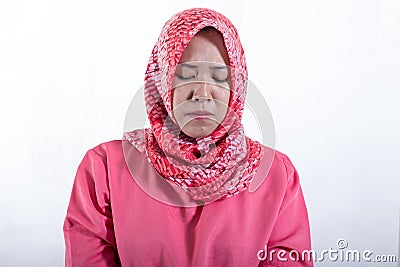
[(202, 85)]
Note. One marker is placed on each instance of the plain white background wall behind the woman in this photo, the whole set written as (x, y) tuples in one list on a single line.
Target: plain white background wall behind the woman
[(329, 70)]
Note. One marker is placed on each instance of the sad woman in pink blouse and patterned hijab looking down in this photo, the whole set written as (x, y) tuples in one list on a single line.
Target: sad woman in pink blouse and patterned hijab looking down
[(189, 202)]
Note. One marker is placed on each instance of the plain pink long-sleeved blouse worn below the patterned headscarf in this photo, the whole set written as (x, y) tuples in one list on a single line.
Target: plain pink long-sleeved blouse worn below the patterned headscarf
[(111, 221)]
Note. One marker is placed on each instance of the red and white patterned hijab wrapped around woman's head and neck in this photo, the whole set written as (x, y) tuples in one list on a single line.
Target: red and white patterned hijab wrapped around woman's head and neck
[(214, 167)]
